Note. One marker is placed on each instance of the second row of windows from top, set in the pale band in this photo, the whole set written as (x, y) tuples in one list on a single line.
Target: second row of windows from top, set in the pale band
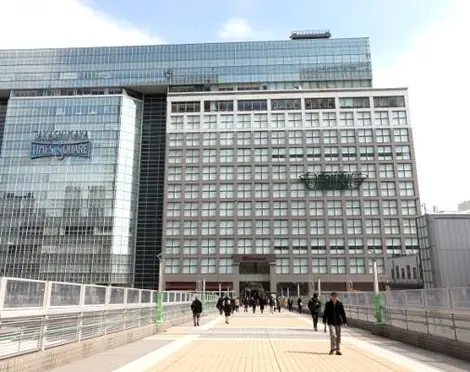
[(281, 120)]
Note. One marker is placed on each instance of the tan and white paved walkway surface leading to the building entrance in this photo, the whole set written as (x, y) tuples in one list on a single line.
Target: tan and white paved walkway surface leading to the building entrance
[(262, 343)]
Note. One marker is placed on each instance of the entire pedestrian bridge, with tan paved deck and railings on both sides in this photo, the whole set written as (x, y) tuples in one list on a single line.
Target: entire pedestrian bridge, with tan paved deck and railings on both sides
[(50, 326)]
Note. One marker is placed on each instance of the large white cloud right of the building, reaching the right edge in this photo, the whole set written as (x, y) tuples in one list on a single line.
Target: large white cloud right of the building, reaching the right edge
[(436, 70)]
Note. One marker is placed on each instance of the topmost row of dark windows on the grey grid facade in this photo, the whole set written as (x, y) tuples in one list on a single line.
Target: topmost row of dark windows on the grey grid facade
[(288, 104)]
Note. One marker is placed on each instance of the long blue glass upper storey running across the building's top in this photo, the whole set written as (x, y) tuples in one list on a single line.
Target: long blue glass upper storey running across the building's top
[(323, 63)]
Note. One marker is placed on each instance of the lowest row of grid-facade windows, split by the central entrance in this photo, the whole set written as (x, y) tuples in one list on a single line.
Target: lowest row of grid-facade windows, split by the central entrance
[(283, 266)]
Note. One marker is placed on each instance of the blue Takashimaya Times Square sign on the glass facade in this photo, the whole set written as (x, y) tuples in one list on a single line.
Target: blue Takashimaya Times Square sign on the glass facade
[(60, 144)]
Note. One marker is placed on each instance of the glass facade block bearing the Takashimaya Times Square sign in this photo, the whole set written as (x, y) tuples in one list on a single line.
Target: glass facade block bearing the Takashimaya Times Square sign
[(69, 186)]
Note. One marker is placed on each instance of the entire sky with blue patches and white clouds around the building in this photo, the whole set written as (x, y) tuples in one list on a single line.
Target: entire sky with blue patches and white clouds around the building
[(420, 44)]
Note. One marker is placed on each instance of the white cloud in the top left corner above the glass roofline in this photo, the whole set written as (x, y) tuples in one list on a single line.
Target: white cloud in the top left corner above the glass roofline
[(64, 23)]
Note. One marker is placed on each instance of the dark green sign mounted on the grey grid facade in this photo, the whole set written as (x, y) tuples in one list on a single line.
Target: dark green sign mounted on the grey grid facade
[(333, 180)]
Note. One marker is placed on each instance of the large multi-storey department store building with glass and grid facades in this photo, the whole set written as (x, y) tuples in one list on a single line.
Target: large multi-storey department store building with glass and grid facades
[(110, 156)]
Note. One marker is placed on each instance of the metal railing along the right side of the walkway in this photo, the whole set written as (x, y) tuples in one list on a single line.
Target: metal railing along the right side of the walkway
[(443, 312)]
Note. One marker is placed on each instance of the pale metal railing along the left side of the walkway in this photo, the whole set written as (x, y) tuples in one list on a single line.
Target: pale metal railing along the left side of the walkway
[(38, 315)]
